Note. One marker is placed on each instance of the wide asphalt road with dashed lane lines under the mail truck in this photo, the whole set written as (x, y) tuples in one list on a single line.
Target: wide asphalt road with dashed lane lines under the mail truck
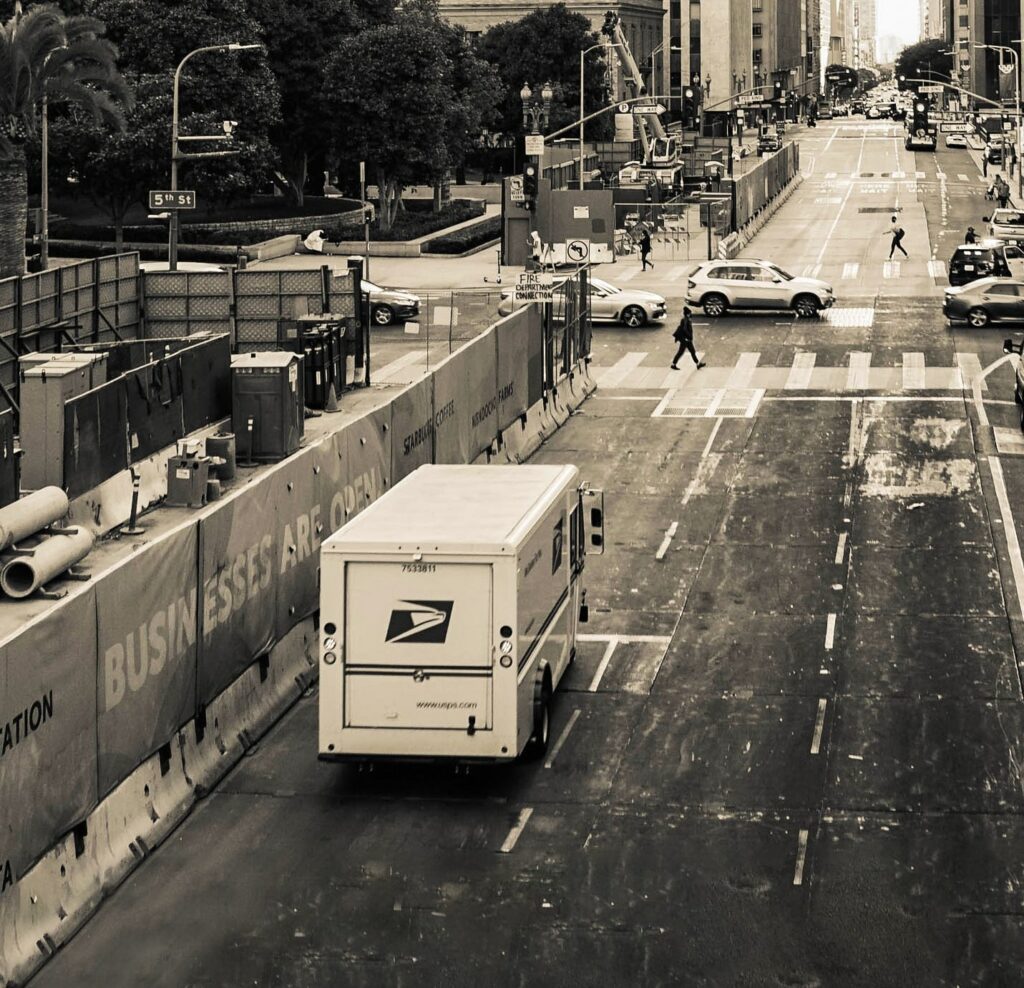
[(789, 753)]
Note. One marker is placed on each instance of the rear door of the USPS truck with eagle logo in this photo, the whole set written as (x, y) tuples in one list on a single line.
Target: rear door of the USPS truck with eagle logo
[(418, 646)]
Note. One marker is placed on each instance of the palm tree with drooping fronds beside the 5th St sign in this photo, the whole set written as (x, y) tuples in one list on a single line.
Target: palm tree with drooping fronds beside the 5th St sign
[(47, 58)]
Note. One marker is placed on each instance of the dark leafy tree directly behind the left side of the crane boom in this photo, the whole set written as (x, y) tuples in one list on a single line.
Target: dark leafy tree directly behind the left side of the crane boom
[(545, 47)]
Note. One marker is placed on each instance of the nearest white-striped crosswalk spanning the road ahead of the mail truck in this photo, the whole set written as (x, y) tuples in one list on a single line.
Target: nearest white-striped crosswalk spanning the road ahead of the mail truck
[(643, 371)]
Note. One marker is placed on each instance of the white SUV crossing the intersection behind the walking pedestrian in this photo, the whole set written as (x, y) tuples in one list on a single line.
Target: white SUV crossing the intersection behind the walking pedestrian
[(751, 284)]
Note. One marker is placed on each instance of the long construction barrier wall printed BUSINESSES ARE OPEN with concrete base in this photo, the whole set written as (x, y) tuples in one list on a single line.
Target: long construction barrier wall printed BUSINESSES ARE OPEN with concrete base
[(208, 624)]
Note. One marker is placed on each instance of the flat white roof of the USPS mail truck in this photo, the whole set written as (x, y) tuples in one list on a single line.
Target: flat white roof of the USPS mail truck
[(468, 509)]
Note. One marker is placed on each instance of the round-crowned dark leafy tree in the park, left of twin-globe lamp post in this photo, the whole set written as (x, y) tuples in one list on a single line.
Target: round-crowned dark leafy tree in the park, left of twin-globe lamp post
[(409, 98)]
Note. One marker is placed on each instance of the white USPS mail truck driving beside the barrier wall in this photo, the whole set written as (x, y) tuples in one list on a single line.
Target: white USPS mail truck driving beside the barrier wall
[(449, 614)]
